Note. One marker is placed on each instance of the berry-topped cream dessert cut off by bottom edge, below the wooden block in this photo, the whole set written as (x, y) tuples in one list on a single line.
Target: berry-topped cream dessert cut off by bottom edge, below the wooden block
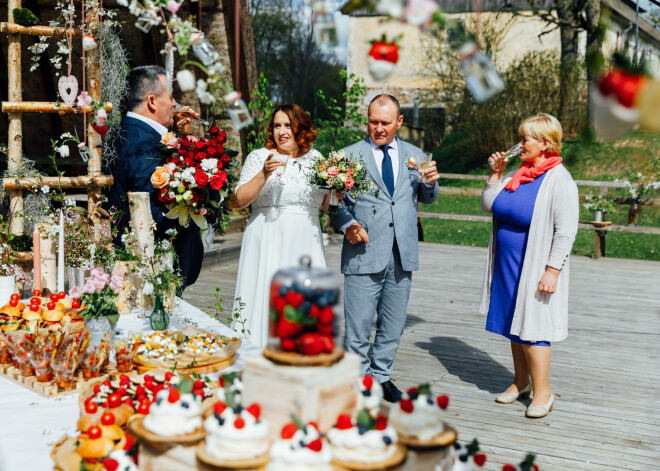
[(300, 448)]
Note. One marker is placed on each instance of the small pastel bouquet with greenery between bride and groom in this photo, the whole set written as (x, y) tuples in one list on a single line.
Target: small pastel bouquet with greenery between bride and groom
[(336, 172)]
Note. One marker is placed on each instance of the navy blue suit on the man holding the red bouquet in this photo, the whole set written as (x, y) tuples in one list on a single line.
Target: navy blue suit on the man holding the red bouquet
[(138, 155)]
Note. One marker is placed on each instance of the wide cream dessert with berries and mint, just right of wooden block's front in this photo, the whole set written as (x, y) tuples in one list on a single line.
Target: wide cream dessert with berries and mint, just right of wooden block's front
[(365, 440)]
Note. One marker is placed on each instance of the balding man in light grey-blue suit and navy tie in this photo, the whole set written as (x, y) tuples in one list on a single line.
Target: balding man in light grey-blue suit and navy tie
[(380, 244)]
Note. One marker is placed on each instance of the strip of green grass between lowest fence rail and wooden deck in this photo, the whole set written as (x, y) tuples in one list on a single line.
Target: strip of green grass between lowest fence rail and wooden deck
[(476, 234)]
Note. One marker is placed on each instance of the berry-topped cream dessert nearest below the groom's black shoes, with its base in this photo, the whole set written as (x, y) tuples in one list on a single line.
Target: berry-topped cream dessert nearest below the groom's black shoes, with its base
[(418, 419)]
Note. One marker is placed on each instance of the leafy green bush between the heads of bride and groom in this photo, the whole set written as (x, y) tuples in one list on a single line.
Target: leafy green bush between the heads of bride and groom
[(344, 122)]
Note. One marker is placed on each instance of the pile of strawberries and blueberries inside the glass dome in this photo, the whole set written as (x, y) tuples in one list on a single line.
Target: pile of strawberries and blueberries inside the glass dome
[(302, 319)]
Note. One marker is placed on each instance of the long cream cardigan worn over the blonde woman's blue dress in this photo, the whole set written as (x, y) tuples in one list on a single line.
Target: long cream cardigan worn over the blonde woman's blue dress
[(551, 235)]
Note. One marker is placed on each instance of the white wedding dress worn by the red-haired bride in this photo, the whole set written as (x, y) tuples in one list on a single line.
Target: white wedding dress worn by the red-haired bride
[(284, 226)]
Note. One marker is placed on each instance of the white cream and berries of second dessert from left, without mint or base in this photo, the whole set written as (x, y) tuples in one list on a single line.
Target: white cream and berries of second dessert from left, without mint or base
[(236, 433)]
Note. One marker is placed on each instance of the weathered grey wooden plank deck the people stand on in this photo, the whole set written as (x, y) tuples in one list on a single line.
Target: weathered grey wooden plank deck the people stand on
[(605, 375)]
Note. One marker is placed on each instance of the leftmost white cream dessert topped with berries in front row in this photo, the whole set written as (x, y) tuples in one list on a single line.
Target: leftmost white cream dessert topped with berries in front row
[(173, 414)]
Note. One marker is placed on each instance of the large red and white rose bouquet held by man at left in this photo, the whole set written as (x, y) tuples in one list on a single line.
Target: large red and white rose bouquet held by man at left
[(196, 178)]
